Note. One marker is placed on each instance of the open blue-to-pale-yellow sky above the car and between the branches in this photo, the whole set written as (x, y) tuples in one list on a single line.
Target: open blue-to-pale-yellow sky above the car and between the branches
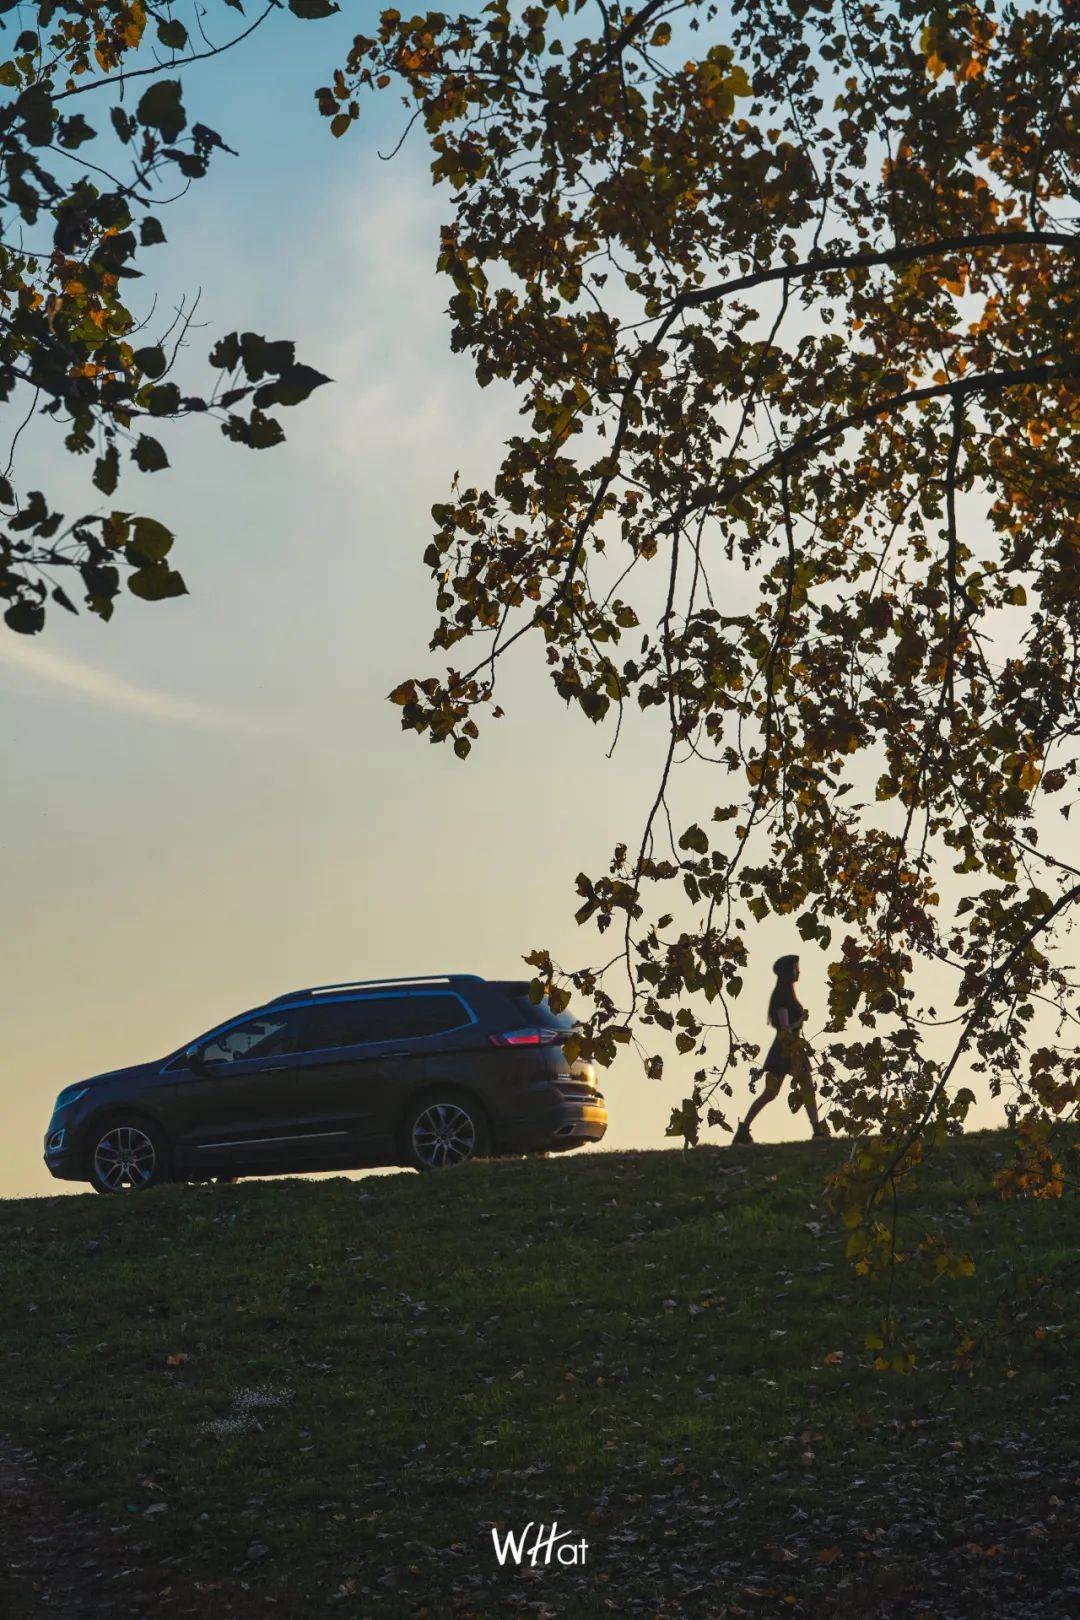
[(210, 801)]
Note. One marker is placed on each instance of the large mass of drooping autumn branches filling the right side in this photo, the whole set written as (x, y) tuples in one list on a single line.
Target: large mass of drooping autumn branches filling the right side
[(788, 291)]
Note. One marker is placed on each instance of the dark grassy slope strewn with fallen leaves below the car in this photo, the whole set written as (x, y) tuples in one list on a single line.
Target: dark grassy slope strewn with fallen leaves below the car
[(317, 1397)]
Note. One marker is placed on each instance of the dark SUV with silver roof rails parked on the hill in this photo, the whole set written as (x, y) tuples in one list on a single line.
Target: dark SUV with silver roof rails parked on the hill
[(393, 1072)]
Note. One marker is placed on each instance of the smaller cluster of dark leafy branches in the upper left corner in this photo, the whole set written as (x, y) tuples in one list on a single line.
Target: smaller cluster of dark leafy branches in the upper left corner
[(85, 182)]
